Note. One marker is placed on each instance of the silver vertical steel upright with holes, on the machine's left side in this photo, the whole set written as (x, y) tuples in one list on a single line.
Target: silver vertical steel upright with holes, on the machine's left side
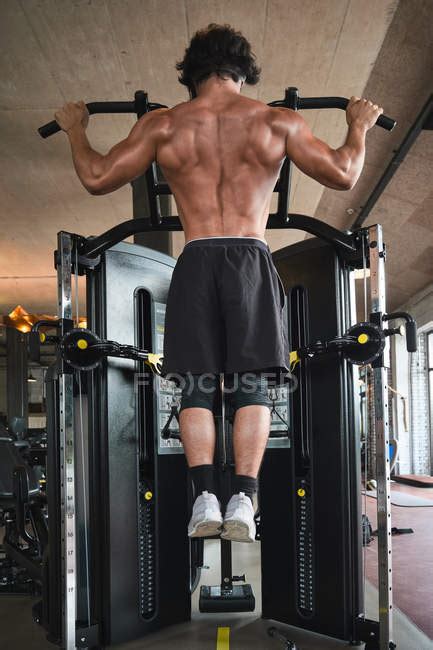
[(67, 452)]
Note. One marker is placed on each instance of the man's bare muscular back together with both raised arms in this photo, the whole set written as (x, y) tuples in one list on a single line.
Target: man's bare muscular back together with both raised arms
[(221, 154)]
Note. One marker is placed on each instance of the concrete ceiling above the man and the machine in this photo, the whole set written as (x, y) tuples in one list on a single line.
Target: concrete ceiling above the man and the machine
[(58, 50)]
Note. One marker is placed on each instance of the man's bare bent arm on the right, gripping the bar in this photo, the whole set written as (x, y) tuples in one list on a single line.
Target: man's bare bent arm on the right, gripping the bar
[(336, 168)]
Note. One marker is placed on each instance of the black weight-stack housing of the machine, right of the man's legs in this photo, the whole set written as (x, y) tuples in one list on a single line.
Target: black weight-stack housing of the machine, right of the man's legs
[(324, 427)]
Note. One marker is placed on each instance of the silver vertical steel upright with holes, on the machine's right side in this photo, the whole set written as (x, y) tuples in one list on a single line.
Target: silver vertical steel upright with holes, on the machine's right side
[(378, 308)]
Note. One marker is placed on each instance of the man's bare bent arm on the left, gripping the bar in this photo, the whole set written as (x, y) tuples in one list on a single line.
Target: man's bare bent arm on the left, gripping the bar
[(101, 174)]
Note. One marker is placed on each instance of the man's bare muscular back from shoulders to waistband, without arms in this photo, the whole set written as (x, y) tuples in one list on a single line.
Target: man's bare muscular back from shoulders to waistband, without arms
[(221, 161)]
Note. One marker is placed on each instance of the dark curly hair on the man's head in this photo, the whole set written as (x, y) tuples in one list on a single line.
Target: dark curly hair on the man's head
[(221, 50)]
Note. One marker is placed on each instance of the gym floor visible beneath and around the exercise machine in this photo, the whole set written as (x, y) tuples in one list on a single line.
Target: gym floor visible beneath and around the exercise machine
[(413, 593)]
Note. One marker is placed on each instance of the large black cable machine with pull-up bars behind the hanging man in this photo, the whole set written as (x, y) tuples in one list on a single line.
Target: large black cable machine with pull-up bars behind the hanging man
[(115, 569)]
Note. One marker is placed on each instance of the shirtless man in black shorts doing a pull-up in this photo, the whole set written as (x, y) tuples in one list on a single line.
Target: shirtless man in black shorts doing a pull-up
[(221, 154)]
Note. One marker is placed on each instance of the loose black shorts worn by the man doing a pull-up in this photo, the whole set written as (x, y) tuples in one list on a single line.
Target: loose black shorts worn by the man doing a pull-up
[(225, 310)]
